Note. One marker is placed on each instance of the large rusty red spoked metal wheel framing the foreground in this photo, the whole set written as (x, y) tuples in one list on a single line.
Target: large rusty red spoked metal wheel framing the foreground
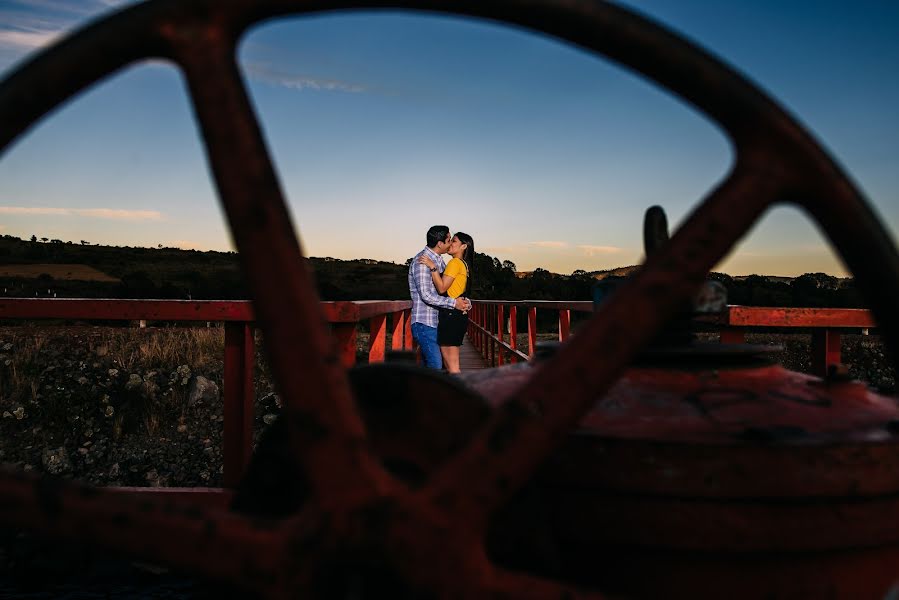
[(360, 523)]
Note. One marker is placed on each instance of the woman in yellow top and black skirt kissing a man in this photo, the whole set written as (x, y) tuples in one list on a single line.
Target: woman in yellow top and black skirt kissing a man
[(454, 282)]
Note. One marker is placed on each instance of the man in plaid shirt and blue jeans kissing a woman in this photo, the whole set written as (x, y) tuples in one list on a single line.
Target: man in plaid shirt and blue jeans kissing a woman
[(426, 300)]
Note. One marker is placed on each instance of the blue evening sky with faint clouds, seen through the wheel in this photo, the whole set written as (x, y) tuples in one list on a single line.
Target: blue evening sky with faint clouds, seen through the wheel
[(382, 124)]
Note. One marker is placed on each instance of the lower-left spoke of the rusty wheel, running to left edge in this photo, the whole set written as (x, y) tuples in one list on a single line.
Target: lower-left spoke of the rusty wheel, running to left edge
[(220, 545)]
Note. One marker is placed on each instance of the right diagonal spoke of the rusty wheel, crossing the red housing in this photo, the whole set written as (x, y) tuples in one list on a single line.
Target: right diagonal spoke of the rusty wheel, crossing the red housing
[(537, 416)]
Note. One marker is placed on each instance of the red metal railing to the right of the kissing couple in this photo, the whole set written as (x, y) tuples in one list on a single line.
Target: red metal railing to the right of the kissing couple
[(493, 327)]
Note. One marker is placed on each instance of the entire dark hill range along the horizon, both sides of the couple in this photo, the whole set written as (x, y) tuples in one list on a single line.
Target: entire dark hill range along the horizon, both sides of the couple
[(63, 269)]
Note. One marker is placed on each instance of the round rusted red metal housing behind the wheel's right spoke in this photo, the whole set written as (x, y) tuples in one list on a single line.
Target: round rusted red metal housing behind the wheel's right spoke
[(726, 466)]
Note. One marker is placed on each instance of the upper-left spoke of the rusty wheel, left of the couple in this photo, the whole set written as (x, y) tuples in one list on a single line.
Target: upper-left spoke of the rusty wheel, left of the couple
[(326, 433)]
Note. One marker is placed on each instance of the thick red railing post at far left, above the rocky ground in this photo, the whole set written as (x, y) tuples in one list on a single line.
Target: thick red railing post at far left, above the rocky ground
[(238, 400)]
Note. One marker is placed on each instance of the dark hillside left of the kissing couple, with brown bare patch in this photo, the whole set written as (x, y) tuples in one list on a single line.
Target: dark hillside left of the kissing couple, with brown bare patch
[(66, 269)]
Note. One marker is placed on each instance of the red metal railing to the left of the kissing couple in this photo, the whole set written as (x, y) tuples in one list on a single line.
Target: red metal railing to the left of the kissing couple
[(239, 359)]
